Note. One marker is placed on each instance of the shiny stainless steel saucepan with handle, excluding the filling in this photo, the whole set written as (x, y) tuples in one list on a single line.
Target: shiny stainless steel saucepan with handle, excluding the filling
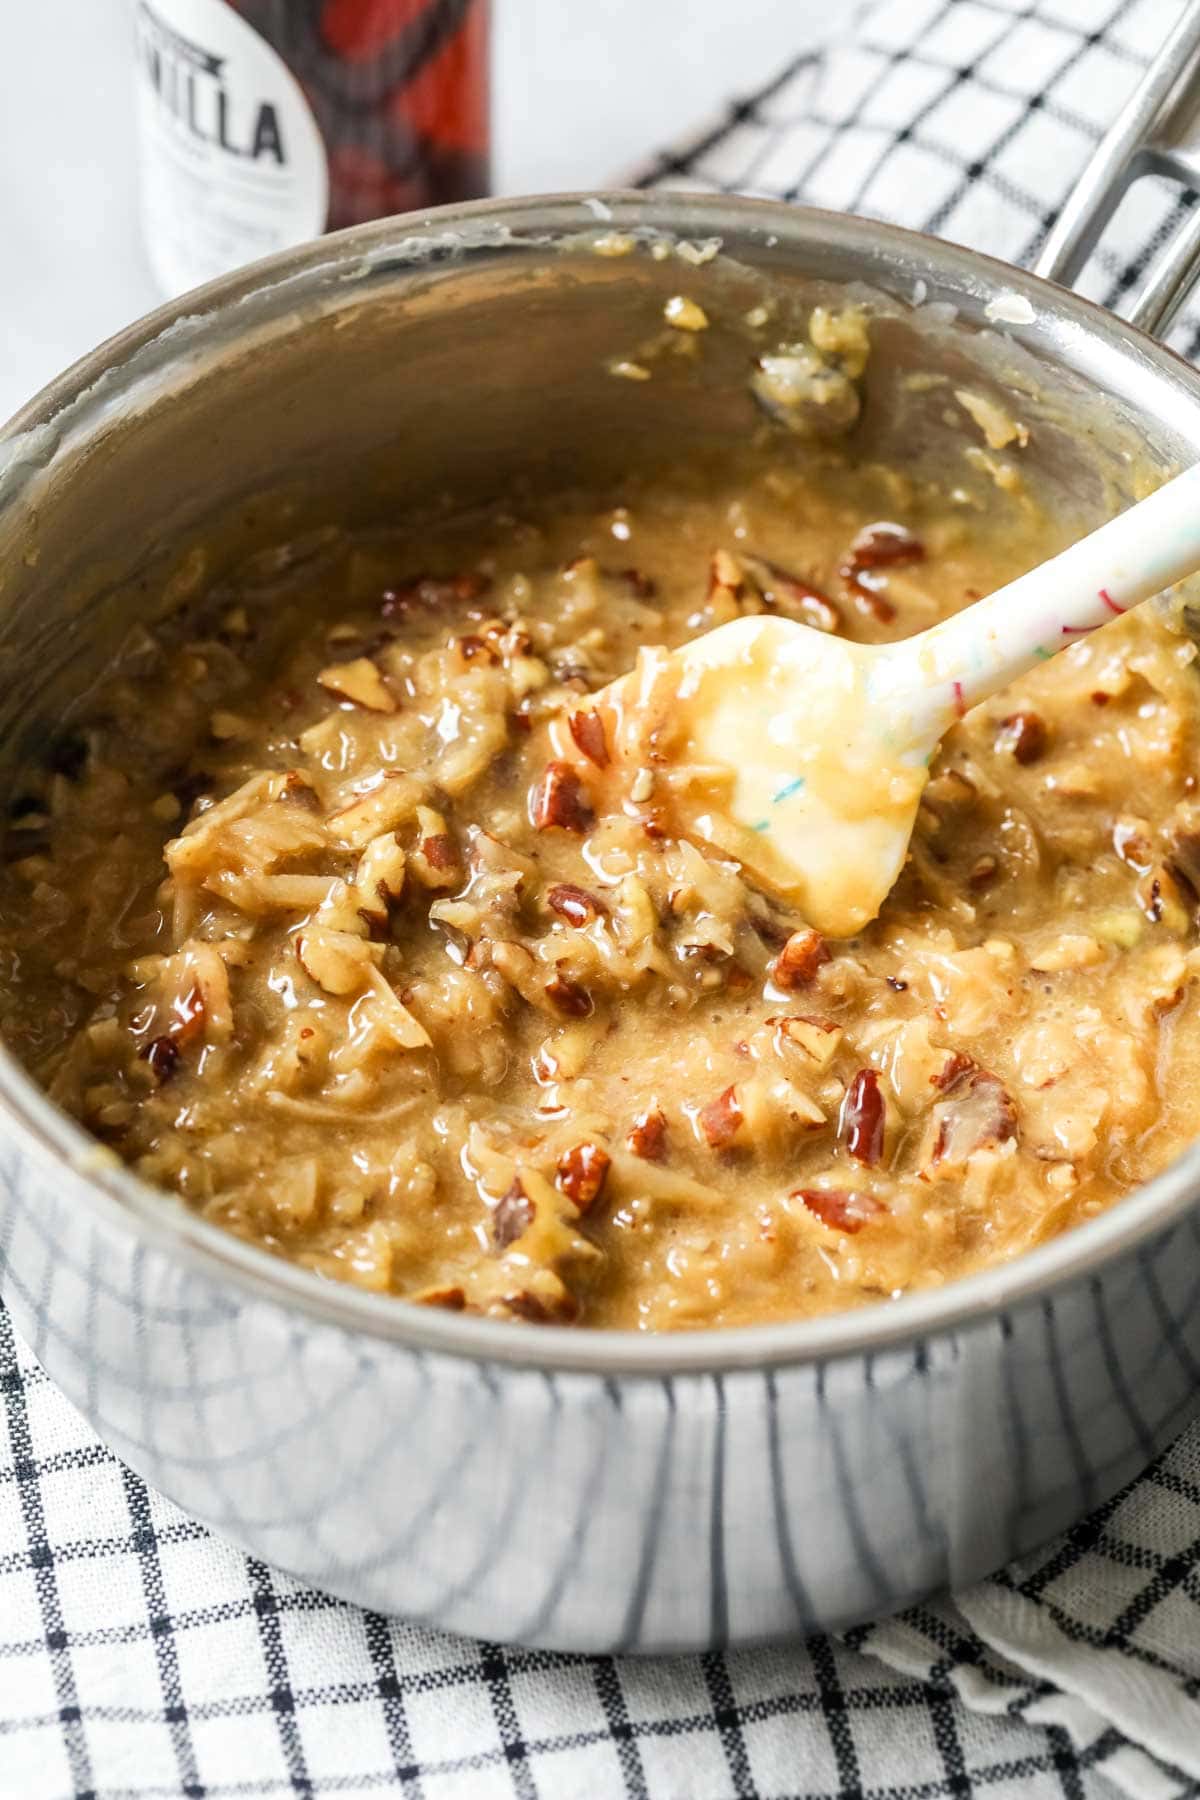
[(589, 1491)]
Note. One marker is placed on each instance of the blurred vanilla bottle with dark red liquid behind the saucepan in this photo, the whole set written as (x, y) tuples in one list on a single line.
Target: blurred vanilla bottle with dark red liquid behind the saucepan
[(271, 121)]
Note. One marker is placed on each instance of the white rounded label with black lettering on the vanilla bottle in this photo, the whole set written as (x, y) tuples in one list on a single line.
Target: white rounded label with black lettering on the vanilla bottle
[(233, 159)]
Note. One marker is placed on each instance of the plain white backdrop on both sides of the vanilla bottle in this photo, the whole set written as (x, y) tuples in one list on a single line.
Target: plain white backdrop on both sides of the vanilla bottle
[(584, 91)]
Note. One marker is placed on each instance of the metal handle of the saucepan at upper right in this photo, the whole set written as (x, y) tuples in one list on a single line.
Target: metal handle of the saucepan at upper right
[(1156, 134)]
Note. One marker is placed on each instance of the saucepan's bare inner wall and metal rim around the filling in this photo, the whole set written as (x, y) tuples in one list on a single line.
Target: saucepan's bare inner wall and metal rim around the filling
[(416, 366)]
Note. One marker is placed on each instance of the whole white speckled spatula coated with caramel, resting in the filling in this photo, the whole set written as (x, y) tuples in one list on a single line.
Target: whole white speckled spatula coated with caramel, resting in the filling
[(827, 744)]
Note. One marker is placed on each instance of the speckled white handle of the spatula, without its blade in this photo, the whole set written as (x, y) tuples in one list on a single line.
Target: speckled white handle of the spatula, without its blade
[(933, 679)]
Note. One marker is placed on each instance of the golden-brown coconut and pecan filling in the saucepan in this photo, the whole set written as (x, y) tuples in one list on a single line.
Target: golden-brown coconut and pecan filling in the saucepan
[(345, 917)]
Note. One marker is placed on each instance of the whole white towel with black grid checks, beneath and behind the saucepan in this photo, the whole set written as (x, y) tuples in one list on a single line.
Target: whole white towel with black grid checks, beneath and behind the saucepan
[(141, 1657)]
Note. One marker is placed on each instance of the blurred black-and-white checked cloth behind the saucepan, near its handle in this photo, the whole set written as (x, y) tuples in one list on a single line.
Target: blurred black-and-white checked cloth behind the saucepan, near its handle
[(963, 118)]
